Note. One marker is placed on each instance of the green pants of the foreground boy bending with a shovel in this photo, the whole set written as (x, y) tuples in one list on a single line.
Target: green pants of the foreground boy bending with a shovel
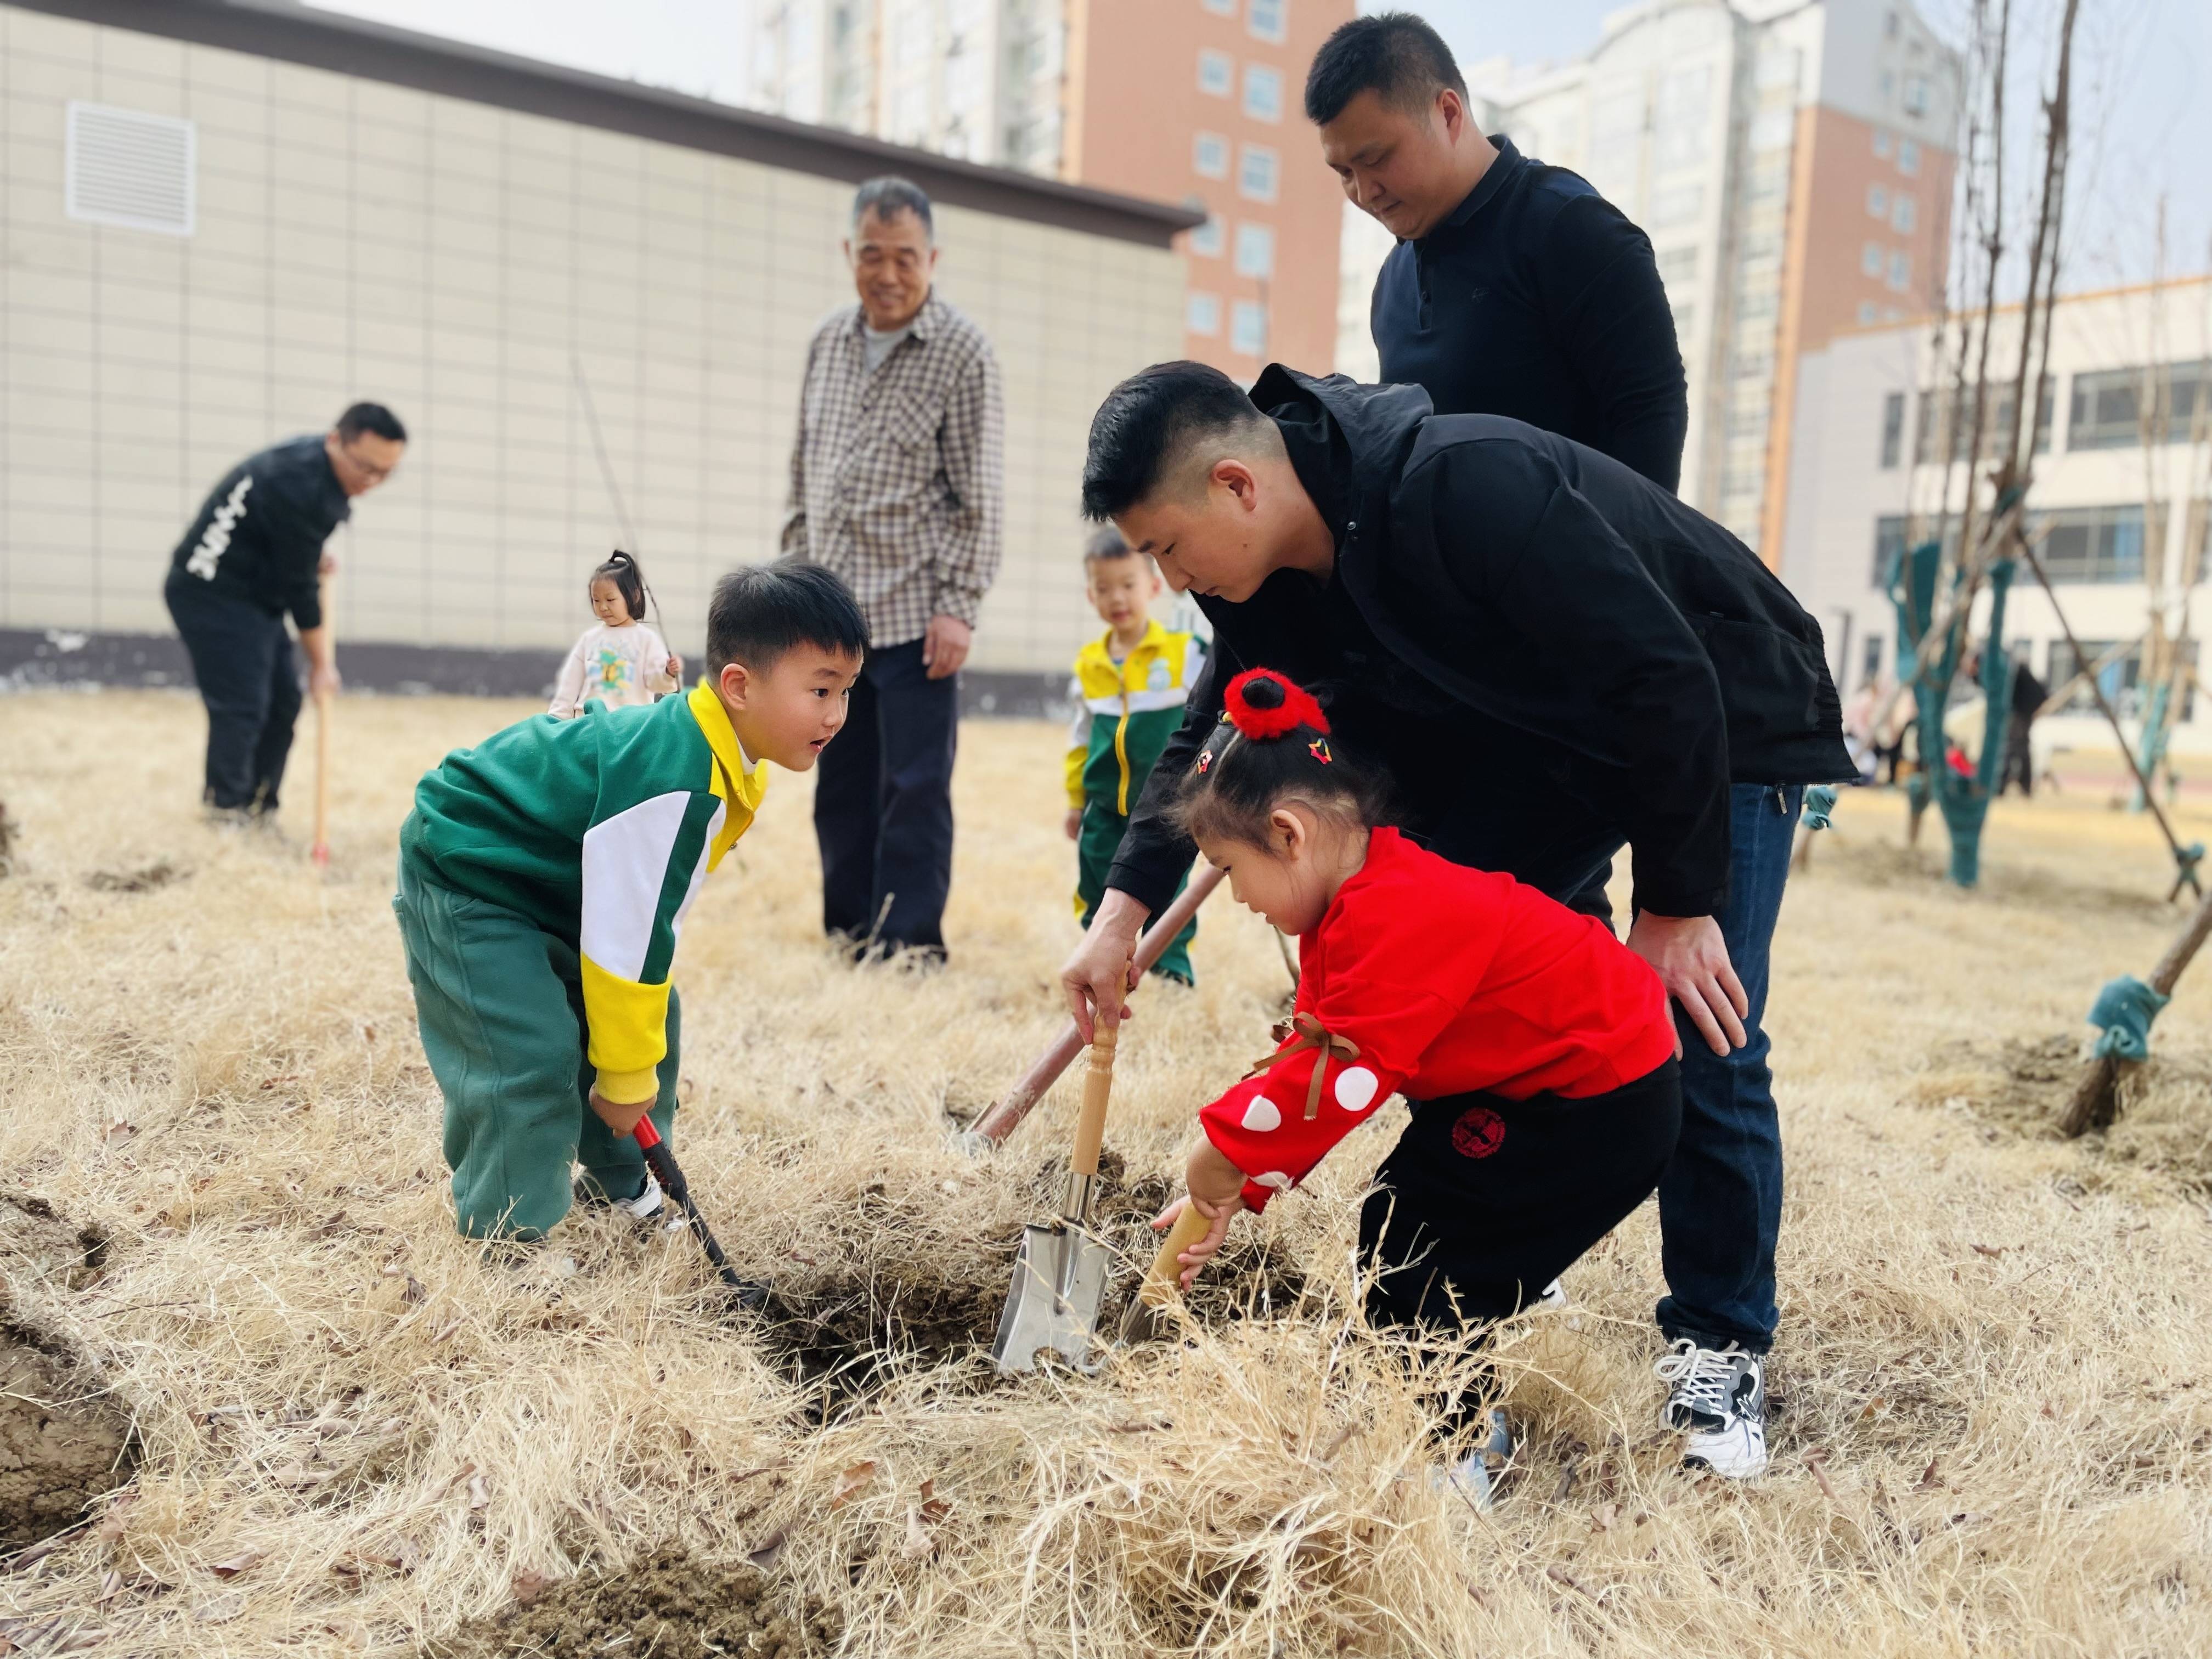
[(501, 1005)]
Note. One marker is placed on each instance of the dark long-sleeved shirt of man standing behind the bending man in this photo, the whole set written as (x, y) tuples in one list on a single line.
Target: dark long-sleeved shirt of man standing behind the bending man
[(1538, 300)]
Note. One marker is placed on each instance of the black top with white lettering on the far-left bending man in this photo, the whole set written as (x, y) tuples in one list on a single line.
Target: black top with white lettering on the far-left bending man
[(260, 534)]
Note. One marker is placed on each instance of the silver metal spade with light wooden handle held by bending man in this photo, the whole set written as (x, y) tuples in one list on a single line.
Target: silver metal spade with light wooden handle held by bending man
[(1063, 1269)]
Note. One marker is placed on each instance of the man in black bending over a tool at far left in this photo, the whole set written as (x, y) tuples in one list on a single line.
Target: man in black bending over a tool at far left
[(253, 554)]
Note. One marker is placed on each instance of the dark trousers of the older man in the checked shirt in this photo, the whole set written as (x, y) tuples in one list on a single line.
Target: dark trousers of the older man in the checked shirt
[(884, 806)]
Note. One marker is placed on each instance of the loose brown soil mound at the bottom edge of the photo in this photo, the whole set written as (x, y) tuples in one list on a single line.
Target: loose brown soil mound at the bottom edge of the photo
[(669, 1607)]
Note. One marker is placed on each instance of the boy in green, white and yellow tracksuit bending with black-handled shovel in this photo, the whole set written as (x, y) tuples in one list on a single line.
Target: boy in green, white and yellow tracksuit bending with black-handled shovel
[(545, 877)]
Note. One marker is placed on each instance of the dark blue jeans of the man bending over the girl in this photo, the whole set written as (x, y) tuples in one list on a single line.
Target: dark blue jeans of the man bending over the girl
[(1722, 1198)]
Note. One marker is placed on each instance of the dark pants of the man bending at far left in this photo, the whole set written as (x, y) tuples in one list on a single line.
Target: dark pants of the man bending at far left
[(249, 680)]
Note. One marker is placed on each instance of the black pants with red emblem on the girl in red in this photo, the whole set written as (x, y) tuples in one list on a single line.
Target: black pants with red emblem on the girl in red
[(1488, 1200)]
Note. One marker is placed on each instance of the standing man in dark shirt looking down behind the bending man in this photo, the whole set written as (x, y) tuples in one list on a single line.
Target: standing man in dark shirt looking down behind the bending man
[(1514, 286)]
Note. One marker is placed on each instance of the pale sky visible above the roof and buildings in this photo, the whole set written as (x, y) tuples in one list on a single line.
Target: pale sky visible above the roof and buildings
[(2142, 123)]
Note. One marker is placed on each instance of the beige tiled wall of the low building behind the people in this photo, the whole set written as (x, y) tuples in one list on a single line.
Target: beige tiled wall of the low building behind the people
[(463, 264)]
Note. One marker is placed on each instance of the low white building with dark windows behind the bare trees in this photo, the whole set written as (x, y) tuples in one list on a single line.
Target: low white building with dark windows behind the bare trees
[(2120, 523)]
